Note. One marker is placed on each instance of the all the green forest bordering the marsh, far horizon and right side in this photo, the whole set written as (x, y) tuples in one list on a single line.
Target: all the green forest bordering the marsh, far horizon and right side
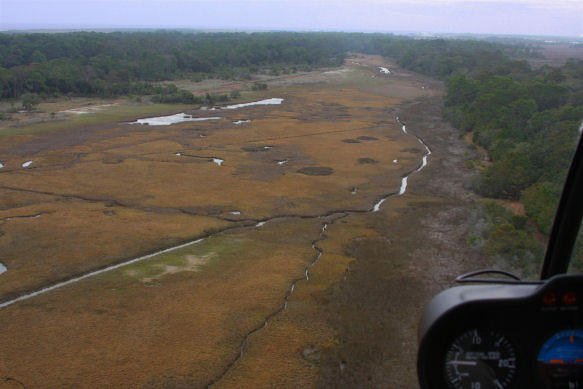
[(526, 119)]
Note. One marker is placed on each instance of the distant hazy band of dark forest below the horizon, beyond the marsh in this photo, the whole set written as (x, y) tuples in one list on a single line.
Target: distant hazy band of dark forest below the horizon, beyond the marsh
[(110, 64)]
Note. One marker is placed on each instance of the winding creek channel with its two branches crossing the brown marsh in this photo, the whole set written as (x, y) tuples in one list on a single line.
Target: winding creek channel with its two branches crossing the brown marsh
[(327, 219)]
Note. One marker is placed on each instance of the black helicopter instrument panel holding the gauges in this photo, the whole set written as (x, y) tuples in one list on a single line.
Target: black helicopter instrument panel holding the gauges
[(504, 336)]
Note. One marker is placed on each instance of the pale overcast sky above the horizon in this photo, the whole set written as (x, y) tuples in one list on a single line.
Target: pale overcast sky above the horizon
[(532, 17)]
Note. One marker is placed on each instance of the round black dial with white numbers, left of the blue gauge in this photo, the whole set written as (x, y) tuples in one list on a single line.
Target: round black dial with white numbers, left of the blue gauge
[(480, 359)]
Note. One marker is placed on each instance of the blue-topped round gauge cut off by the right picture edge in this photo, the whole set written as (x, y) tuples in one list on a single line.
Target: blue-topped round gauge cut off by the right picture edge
[(560, 360)]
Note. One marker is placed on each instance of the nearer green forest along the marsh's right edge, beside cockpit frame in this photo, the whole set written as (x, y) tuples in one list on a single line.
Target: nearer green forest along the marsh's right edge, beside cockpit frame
[(529, 121)]
